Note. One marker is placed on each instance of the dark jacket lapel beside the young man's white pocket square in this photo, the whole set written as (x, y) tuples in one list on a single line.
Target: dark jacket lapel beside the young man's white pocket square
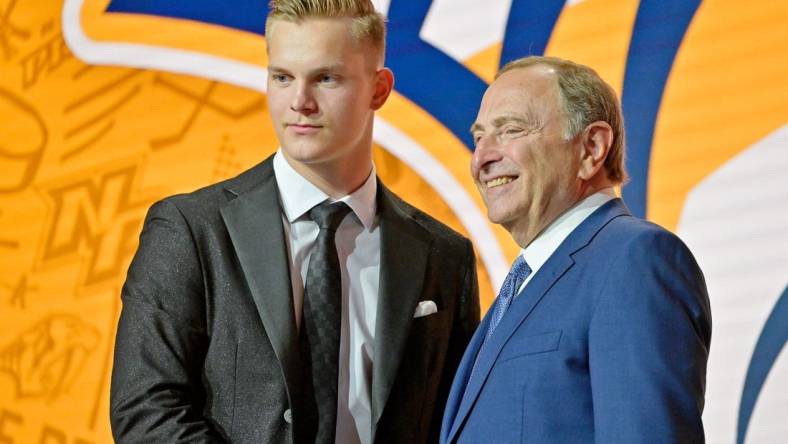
[(404, 248)]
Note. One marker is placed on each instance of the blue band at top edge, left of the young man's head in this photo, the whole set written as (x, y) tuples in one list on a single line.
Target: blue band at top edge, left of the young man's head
[(245, 15)]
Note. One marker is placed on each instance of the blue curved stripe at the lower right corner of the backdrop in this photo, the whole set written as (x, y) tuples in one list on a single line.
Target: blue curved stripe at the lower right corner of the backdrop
[(772, 340)]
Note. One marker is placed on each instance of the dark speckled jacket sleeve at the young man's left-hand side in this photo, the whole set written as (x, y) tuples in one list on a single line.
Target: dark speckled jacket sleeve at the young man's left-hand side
[(156, 394)]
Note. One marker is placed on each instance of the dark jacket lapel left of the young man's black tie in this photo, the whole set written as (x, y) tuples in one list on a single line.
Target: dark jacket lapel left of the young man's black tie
[(254, 222)]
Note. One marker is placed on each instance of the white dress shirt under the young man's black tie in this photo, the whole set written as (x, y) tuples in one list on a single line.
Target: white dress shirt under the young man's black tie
[(358, 247)]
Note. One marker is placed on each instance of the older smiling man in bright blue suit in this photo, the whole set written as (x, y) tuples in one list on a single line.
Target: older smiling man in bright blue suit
[(601, 330)]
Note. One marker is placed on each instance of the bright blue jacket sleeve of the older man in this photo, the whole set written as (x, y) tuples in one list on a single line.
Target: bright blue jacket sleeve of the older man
[(648, 344)]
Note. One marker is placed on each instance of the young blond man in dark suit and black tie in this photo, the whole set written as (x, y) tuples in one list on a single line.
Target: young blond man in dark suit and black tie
[(300, 301)]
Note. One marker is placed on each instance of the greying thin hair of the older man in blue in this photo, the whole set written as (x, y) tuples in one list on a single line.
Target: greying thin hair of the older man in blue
[(585, 98)]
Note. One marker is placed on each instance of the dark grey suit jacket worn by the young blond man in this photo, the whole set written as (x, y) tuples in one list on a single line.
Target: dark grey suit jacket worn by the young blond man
[(206, 347)]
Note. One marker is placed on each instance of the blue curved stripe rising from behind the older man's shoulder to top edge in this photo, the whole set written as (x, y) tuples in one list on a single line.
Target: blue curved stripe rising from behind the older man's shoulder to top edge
[(659, 29)]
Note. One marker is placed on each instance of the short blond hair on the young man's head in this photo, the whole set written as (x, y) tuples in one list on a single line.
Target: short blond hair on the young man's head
[(367, 25)]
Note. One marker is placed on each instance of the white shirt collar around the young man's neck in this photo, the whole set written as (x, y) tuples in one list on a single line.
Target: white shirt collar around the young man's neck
[(298, 195)]
